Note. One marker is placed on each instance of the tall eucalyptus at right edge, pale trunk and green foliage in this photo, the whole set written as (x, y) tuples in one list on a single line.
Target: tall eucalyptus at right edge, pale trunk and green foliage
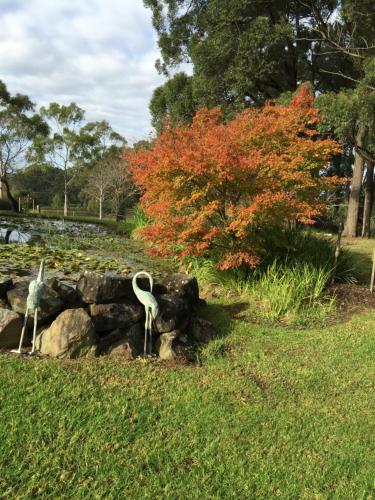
[(351, 36)]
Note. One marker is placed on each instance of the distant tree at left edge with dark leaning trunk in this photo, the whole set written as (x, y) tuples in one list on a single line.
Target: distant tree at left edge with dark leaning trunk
[(19, 127)]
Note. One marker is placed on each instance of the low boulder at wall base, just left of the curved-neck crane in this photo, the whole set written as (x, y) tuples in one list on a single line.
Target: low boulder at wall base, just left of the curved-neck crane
[(129, 345)]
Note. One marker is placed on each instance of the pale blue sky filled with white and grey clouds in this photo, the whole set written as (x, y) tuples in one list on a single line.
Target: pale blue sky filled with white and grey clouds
[(98, 53)]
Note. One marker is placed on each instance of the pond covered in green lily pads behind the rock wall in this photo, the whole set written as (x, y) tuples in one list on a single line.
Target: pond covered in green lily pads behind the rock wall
[(69, 248)]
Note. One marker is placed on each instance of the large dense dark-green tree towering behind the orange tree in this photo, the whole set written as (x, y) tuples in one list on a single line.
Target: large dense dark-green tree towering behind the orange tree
[(242, 52)]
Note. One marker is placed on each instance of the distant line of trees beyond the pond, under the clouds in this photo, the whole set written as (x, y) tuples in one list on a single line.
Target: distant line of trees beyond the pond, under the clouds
[(54, 158)]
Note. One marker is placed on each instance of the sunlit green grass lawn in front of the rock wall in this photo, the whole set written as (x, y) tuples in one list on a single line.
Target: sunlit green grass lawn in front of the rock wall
[(268, 412)]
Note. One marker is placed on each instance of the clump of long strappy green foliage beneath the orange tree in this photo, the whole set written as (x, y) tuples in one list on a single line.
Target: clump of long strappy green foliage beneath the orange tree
[(291, 284)]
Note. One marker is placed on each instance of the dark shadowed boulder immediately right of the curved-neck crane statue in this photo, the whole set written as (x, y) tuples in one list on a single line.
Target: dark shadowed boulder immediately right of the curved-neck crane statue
[(174, 313)]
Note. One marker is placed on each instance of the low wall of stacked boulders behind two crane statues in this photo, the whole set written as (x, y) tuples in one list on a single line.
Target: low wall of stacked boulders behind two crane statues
[(102, 316)]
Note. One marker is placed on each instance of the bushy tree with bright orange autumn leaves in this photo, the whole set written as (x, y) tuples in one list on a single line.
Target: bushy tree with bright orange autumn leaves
[(217, 189)]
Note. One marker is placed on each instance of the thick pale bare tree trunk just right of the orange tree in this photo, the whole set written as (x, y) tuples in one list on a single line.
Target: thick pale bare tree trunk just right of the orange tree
[(350, 228)]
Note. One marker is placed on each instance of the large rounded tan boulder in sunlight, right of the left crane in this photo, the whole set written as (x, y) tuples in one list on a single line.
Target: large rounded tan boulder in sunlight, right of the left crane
[(71, 335)]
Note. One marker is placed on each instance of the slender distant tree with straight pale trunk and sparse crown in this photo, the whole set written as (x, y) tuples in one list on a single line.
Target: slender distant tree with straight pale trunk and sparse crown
[(63, 146)]
